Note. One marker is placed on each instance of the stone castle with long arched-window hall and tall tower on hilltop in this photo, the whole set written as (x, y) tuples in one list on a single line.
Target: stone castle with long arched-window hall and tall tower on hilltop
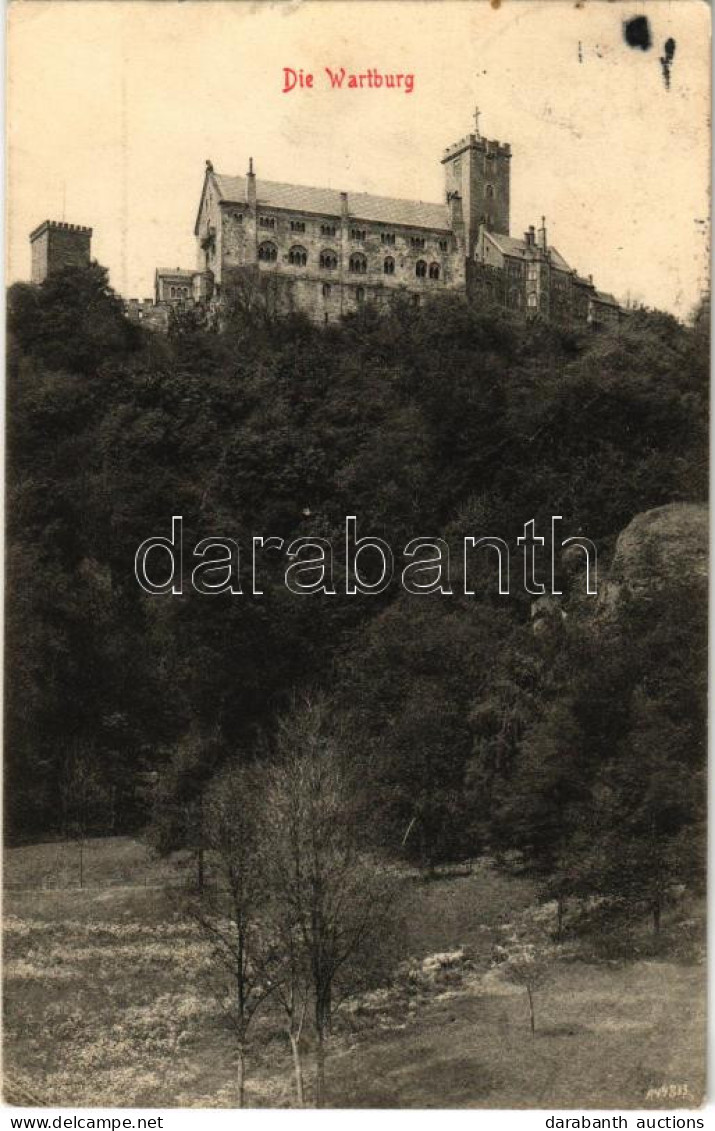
[(328, 253)]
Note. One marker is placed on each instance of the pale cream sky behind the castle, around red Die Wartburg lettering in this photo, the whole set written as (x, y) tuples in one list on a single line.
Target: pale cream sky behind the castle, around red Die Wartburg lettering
[(114, 109)]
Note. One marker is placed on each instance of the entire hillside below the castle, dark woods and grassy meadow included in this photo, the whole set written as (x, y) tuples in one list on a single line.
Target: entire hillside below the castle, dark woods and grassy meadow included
[(300, 796)]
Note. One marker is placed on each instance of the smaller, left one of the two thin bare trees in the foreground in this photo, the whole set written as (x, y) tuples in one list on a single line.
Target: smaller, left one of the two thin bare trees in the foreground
[(230, 916)]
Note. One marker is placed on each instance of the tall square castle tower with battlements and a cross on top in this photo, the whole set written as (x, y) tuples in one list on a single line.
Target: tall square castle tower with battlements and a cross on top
[(478, 171)]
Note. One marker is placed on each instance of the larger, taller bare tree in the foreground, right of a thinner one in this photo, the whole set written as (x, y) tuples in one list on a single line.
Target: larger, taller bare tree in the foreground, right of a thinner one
[(335, 900)]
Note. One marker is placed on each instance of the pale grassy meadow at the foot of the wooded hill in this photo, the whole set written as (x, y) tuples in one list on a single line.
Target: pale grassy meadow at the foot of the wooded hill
[(106, 1004)]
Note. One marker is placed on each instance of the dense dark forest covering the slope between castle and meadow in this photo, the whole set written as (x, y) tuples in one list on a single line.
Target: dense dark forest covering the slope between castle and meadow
[(579, 750)]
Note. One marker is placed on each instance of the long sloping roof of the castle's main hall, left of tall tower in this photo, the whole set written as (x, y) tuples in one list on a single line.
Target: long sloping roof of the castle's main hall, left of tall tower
[(329, 203)]
